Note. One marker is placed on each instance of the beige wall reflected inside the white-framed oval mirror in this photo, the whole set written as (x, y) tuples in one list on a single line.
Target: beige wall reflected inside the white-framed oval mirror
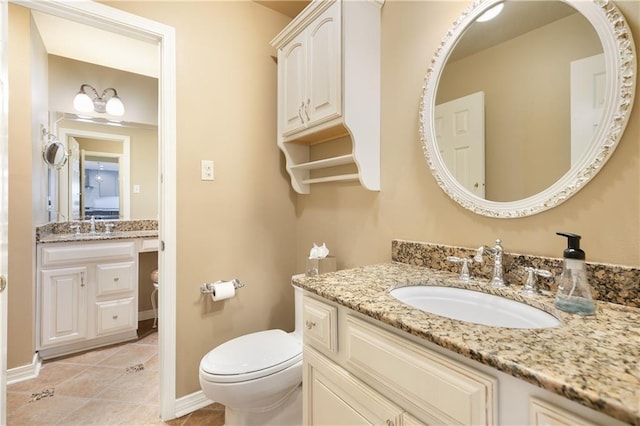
[(526, 85)]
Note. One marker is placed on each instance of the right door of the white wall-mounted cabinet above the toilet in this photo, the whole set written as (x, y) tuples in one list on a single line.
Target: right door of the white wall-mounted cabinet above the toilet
[(324, 87)]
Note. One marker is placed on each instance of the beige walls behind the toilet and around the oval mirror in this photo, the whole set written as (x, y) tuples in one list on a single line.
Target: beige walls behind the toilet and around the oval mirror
[(248, 224)]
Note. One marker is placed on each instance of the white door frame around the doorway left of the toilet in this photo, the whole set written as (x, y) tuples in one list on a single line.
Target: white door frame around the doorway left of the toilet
[(126, 24)]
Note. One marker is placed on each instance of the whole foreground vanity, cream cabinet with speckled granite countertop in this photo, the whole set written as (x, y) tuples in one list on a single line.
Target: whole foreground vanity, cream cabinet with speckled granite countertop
[(371, 359)]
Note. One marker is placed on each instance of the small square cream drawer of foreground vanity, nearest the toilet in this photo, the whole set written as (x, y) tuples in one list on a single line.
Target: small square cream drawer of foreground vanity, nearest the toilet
[(320, 321)]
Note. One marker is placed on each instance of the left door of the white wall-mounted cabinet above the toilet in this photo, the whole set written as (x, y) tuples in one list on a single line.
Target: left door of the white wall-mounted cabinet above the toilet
[(292, 75)]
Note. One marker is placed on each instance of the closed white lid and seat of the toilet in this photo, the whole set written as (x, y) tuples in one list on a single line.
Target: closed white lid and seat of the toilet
[(252, 355)]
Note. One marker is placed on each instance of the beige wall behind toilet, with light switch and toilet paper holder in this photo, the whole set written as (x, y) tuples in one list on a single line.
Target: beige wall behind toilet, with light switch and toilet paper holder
[(243, 223)]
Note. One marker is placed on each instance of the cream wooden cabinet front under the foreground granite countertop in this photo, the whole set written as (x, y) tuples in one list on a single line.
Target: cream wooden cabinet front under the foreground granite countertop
[(357, 370)]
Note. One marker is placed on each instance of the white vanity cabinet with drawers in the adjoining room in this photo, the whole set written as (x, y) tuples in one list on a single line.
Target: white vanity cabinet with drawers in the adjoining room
[(87, 289)]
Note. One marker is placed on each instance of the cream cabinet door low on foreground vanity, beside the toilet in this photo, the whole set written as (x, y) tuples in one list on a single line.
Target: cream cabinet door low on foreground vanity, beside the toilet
[(332, 396)]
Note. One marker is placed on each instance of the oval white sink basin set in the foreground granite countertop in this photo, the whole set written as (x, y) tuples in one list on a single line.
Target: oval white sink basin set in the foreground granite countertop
[(474, 306)]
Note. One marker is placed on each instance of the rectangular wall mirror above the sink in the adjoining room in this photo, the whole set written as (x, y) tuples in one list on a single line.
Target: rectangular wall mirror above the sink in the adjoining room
[(111, 173)]
